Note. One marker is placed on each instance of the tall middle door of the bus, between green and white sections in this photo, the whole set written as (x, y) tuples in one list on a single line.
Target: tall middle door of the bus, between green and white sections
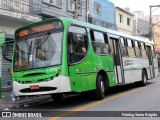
[(117, 60)]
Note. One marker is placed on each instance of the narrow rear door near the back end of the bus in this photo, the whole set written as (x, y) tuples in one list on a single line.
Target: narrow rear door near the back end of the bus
[(150, 58)]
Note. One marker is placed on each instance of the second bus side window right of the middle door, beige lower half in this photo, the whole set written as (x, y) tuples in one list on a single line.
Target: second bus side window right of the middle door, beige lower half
[(130, 48)]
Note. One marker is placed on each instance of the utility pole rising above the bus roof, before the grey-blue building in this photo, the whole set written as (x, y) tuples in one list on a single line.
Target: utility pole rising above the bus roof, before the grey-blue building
[(76, 10)]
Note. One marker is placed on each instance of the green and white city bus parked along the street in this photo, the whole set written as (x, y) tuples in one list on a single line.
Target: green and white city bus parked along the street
[(60, 56)]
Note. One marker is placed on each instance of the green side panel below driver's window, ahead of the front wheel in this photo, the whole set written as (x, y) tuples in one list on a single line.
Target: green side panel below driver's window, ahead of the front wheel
[(82, 76)]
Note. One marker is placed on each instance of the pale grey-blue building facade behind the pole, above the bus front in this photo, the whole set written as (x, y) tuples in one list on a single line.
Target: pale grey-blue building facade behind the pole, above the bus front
[(59, 8)]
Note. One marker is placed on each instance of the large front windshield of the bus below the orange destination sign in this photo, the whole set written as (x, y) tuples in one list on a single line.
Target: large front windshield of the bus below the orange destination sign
[(42, 49)]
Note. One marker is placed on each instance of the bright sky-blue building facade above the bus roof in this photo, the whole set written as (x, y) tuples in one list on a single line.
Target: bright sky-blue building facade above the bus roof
[(102, 13)]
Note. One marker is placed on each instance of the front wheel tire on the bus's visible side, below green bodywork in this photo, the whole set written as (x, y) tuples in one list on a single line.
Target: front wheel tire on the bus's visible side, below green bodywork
[(100, 88)]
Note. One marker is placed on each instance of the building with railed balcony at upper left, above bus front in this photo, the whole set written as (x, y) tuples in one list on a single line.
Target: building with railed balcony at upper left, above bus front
[(13, 14)]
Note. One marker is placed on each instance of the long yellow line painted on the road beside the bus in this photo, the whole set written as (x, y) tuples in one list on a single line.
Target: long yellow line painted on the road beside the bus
[(102, 101)]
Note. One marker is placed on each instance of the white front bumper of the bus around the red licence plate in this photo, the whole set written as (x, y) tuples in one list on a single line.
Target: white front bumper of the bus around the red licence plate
[(59, 84)]
